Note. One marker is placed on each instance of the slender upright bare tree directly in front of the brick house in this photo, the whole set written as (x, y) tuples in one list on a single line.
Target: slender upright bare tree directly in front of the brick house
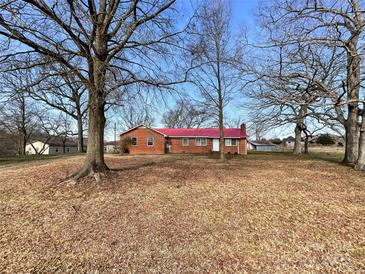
[(216, 58)]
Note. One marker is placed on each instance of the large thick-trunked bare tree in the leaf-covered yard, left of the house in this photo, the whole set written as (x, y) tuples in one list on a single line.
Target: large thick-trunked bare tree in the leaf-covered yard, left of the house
[(105, 44)]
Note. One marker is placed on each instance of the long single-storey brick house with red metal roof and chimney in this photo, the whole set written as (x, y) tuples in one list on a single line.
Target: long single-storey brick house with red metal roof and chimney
[(145, 140)]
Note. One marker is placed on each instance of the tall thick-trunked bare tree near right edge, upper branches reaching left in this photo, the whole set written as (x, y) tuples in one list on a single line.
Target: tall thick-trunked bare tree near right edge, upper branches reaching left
[(338, 25)]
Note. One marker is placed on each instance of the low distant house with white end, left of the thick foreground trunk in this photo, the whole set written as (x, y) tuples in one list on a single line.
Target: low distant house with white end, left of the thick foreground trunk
[(52, 146)]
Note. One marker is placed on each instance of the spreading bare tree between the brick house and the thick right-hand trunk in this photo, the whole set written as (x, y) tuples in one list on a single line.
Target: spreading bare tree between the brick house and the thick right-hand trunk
[(285, 89)]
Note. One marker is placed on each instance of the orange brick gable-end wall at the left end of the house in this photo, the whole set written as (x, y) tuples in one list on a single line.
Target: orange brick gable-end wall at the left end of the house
[(142, 134)]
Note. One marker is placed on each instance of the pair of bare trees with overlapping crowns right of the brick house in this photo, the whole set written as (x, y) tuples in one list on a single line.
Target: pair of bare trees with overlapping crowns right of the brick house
[(309, 71)]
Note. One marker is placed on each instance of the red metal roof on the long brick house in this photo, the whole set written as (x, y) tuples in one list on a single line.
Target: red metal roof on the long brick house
[(201, 132)]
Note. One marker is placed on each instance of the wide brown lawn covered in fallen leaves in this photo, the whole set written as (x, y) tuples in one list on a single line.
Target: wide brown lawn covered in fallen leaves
[(260, 213)]
